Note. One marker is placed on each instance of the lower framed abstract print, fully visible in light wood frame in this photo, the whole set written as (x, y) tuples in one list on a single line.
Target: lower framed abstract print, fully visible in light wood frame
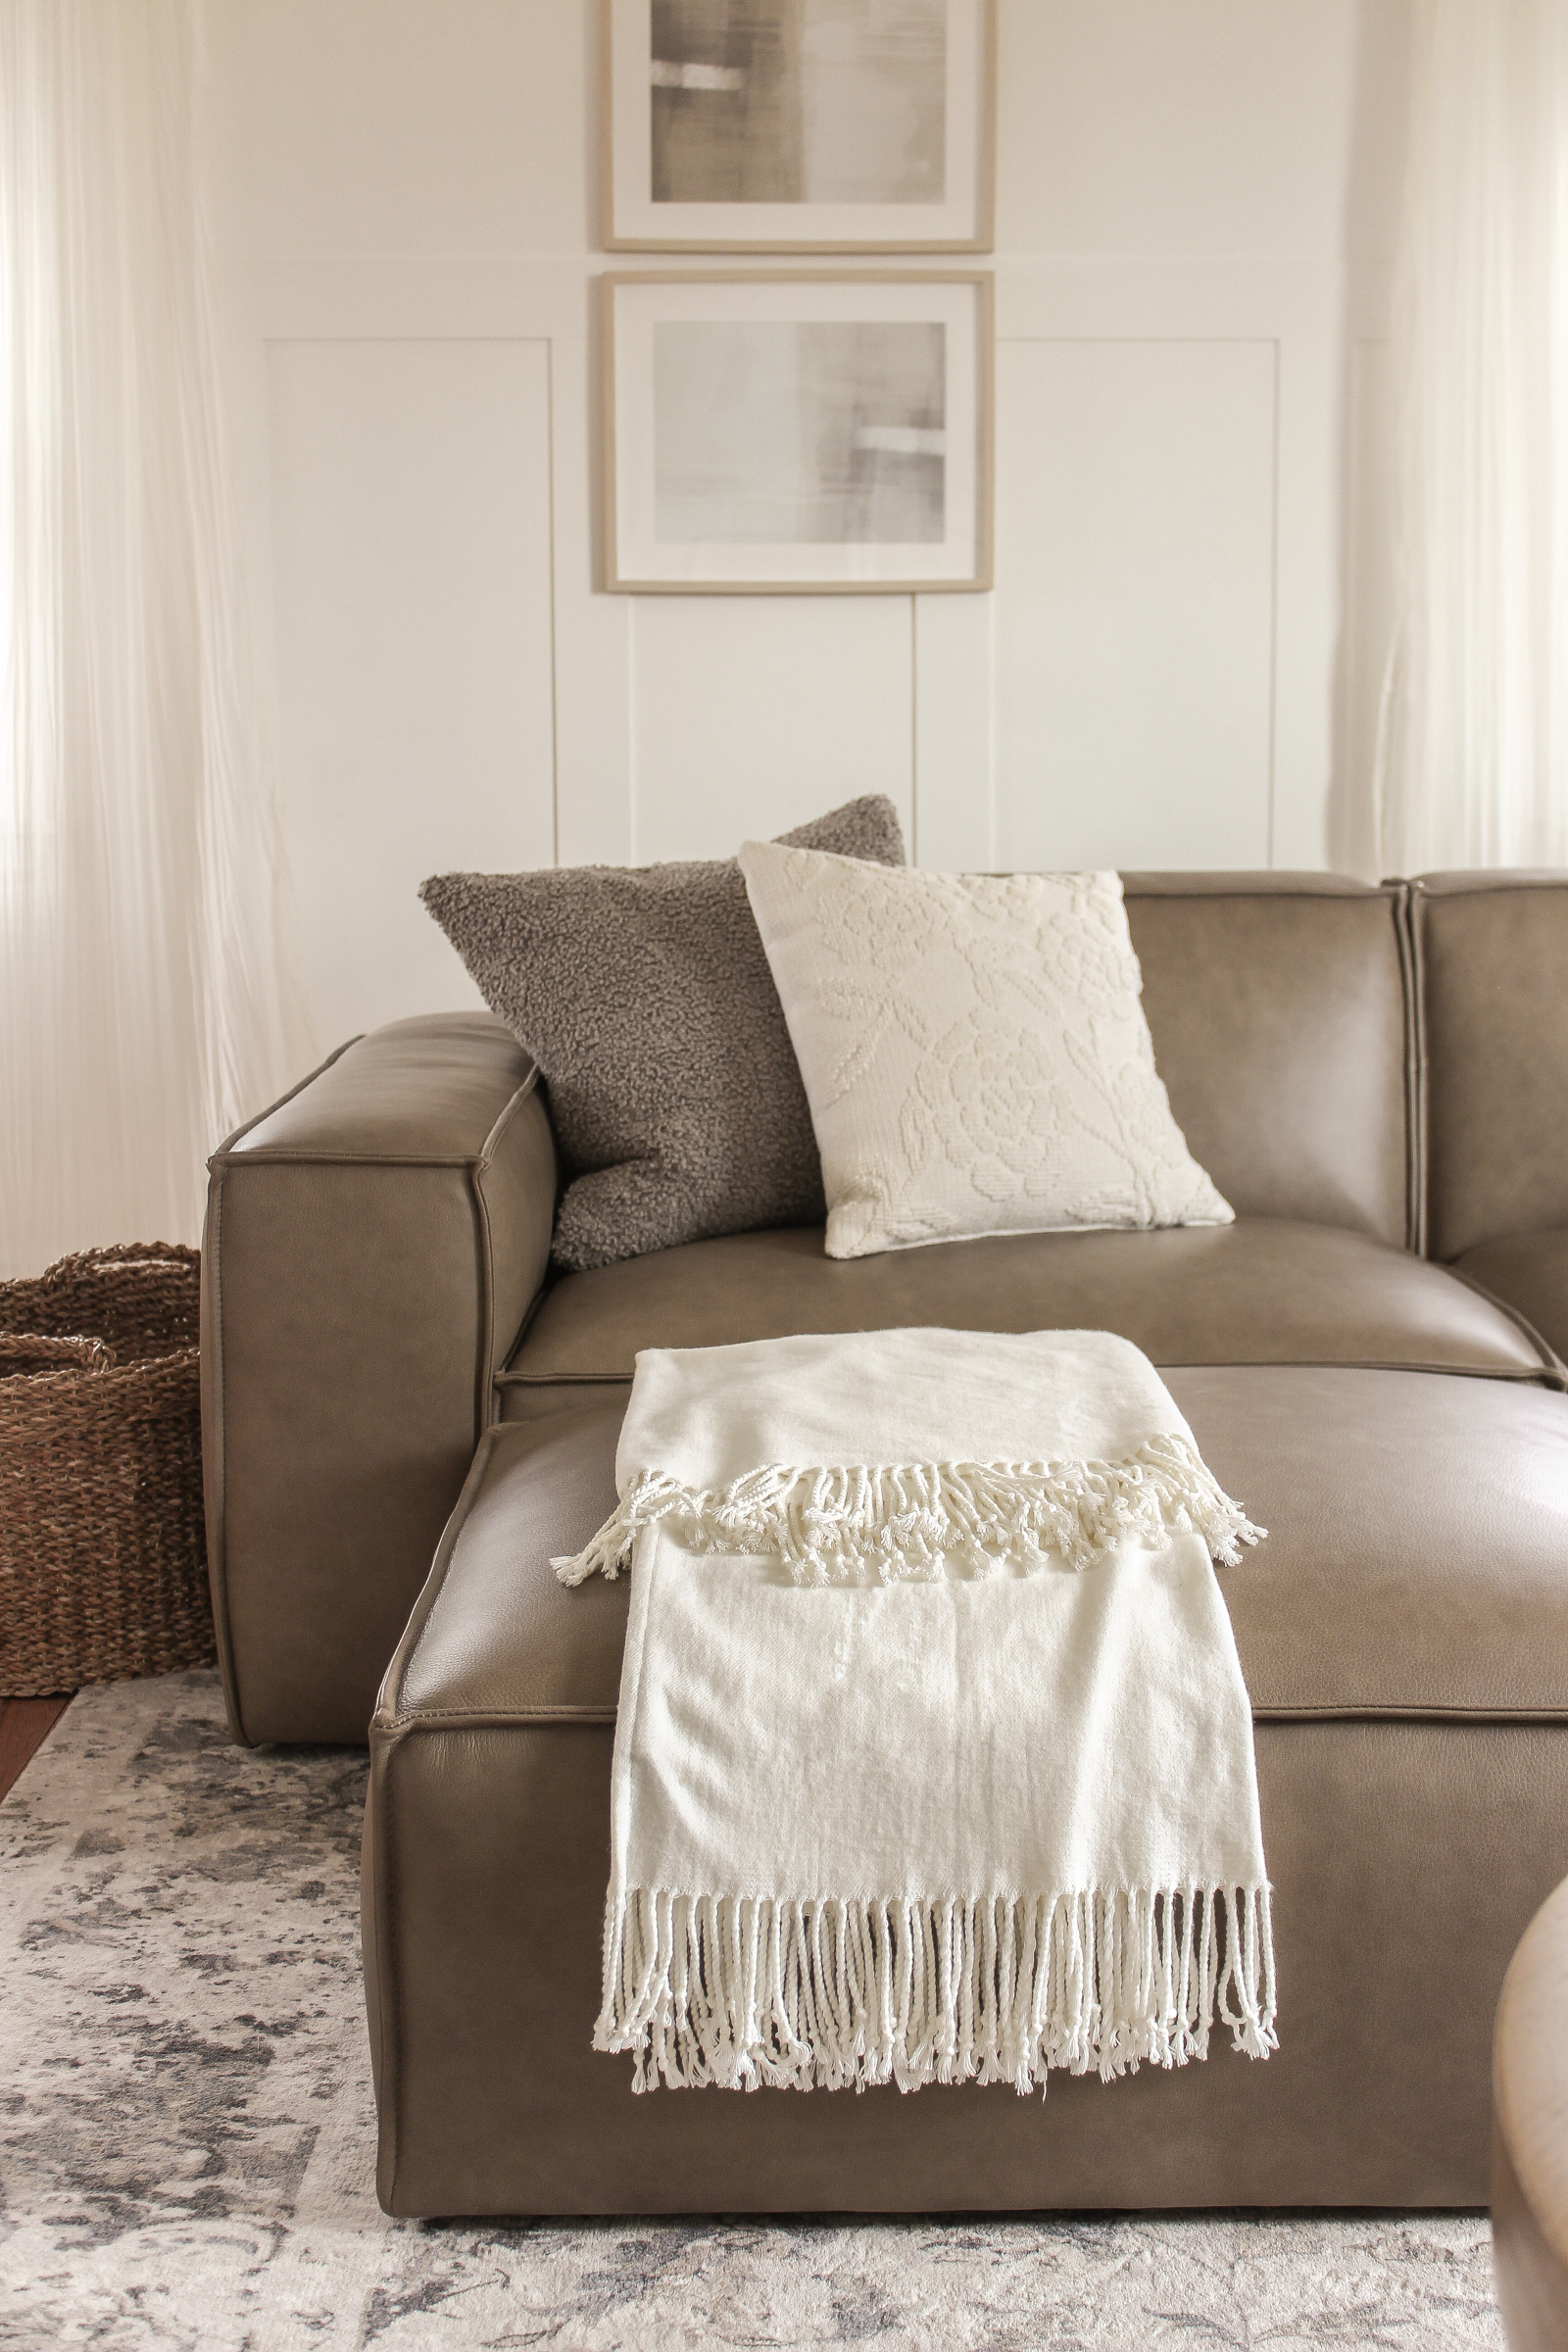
[(798, 432)]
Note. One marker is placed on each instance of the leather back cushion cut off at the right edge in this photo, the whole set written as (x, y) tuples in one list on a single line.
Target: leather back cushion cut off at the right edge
[(1494, 954)]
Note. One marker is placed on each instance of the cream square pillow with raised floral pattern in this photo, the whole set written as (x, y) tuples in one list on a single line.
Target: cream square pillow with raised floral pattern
[(974, 1053)]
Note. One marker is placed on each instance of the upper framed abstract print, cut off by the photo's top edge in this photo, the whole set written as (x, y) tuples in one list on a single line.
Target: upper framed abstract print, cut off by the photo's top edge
[(800, 126)]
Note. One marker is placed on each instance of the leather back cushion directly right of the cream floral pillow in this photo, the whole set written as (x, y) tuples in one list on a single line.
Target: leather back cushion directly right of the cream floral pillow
[(1280, 1020)]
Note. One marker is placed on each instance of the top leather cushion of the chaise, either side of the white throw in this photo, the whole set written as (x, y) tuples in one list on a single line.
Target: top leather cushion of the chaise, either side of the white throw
[(1416, 1565)]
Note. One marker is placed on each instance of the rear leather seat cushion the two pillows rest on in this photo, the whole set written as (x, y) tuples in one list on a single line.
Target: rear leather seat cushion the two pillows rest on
[(1257, 1292)]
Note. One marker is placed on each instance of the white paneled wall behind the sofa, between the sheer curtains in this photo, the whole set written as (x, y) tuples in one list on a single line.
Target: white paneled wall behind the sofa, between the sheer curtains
[(1179, 664)]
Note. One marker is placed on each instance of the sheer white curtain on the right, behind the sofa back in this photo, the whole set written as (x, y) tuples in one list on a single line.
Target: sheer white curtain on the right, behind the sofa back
[(1473, 763)]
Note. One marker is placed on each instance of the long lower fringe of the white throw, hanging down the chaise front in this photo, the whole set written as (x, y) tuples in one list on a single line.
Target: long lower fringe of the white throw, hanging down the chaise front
[(746, 1991)]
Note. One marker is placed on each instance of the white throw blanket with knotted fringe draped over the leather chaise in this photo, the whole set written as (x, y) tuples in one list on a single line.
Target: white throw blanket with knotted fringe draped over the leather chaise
[(934, 1760)]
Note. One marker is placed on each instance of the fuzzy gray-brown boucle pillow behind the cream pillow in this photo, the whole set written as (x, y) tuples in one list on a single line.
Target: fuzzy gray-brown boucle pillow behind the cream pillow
[(648, 1003)]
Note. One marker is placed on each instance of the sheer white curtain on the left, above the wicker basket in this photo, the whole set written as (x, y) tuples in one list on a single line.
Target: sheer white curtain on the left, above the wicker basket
[(145, 1003)]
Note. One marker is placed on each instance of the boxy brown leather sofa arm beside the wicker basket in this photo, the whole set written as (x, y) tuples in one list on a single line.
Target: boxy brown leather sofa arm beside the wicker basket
[(373, 1250)]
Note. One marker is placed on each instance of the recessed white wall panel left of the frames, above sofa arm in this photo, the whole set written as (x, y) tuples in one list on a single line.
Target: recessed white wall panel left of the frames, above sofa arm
[(410, 528)]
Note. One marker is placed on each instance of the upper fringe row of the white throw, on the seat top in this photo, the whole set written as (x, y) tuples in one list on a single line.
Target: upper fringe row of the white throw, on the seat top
[(906, 1523)]
